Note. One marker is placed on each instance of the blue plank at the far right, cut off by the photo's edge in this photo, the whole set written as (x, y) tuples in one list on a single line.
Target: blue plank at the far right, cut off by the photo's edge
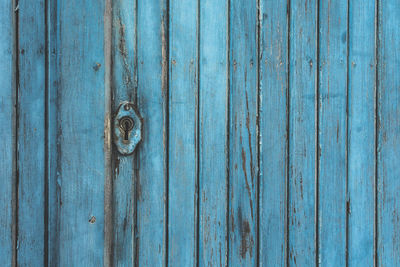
[(388, 133)]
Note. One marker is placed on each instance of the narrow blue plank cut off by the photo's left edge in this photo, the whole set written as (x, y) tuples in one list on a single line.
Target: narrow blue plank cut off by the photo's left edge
[(7, 132)]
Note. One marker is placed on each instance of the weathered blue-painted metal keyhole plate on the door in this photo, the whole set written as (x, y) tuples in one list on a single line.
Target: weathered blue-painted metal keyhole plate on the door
[(127, 128)]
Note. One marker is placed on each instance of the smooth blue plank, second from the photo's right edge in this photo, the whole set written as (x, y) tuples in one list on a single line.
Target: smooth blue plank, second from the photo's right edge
[(361, 133)]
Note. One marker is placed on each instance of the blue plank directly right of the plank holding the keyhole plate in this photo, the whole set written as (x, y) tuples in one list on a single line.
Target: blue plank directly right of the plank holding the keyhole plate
[(152, 101)]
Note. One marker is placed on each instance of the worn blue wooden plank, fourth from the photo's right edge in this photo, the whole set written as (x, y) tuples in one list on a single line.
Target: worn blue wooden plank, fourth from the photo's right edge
[(302, 135)]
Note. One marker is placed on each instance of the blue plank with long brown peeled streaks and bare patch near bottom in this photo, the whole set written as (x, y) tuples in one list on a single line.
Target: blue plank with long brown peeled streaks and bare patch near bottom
[(243, 163)]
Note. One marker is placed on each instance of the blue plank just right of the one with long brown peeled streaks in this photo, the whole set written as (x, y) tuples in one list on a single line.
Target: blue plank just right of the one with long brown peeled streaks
[(273, 118)]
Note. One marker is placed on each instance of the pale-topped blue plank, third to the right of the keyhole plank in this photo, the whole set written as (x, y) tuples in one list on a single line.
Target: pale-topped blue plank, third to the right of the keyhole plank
[(213, 108)]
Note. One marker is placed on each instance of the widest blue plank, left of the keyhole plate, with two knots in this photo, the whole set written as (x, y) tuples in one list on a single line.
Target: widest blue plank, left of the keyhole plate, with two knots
[(81, 141)]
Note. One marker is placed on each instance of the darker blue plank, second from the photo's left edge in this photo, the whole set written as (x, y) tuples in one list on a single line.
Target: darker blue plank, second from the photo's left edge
[(31, 133)]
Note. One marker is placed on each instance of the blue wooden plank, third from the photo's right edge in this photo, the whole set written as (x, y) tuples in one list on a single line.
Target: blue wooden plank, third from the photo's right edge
[(332, 134)]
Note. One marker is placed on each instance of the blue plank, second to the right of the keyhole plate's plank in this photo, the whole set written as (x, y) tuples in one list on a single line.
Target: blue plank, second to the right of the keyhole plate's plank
[(183, 86)]
